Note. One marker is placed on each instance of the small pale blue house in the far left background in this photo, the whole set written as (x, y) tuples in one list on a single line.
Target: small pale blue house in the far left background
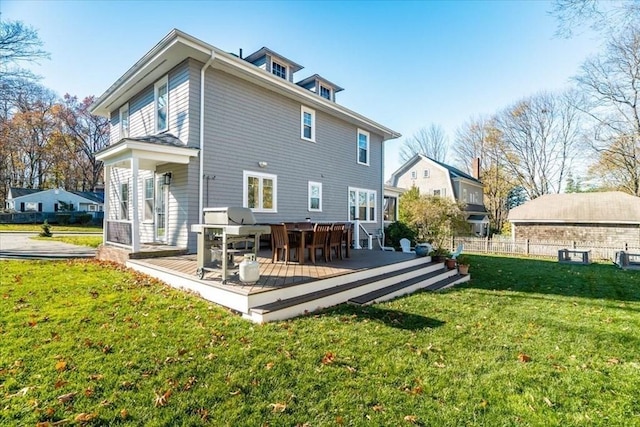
[(53, 200)]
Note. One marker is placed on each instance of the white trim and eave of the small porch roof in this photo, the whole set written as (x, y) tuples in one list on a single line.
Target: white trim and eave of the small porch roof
[(149, 155)]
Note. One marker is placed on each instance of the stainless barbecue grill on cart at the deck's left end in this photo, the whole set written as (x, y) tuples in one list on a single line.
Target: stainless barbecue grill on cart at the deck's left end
[(222, 228)]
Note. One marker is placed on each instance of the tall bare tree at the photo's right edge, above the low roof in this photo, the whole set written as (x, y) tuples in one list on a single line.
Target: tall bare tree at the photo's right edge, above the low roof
[(612, 83)]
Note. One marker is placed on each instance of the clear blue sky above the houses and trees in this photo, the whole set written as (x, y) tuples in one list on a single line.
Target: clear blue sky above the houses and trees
[(403, 64)]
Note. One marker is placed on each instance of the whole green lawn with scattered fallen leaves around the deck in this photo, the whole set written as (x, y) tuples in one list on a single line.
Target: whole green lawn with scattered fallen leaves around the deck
[(526, 342)]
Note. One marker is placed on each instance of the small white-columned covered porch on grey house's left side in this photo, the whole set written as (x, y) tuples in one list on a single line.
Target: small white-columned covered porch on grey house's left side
[(145, 180)]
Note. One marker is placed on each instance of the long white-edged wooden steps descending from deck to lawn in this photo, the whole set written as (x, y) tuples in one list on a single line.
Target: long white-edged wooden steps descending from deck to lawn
[(375, 285)]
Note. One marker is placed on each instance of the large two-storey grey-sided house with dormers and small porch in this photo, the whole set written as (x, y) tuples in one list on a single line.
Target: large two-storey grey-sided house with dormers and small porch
[(193, 126)]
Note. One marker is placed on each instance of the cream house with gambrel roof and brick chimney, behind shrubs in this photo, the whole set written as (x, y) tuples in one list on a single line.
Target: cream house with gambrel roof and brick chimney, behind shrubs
[(438, 179)]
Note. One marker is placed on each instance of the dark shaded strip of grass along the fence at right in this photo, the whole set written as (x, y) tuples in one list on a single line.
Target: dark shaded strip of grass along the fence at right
[(599, 281)]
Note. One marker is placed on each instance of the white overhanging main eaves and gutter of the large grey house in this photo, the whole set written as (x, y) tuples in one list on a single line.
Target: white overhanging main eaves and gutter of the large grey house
[(177, 46)]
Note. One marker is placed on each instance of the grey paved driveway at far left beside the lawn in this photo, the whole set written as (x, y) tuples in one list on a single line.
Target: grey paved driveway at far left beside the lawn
[(21, 246)]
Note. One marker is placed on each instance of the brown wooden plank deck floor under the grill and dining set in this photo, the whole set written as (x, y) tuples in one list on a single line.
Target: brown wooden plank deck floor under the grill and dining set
[(276, 275)]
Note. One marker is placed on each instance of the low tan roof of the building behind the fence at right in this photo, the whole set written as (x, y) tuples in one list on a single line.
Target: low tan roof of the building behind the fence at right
[(606, 207)]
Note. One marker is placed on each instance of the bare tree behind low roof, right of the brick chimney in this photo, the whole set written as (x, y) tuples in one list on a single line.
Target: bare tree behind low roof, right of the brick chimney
[(540, 137)]
